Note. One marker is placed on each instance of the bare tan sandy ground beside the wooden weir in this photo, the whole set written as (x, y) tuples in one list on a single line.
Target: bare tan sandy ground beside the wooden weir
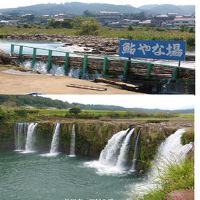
[(15, 82)]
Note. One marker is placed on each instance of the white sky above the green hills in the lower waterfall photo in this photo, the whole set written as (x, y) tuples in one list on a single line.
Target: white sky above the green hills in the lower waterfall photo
[(171, 102)]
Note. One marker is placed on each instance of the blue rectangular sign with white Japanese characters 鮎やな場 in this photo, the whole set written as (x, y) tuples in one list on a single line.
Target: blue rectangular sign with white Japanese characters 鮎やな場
[(155, 49)]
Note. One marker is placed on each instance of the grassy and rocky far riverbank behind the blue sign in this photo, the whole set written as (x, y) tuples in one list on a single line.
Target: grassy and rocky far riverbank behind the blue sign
[(106, 42)]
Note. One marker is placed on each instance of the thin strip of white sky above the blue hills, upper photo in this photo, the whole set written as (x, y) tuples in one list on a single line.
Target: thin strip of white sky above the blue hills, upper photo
[(135, 3)]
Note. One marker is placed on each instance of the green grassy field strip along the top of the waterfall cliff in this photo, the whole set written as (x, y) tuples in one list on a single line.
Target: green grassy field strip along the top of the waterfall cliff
[(14, 113)]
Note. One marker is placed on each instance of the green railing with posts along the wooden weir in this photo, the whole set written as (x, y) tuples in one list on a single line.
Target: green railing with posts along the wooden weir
[(85, 57)]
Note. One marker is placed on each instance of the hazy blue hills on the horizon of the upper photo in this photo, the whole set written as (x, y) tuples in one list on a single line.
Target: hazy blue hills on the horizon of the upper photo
[(77, 9)]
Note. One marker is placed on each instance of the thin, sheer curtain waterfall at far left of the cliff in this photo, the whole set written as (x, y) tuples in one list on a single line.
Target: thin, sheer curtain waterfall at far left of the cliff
[(20, 133)]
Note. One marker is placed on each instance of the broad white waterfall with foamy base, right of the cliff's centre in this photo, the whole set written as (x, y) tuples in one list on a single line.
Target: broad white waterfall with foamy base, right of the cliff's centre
[(114, 156)]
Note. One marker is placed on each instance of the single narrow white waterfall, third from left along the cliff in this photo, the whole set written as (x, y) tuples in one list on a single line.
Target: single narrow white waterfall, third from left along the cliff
[(55, 140)]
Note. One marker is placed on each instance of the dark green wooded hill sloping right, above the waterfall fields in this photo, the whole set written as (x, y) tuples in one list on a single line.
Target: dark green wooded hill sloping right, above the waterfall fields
[(43, 102)]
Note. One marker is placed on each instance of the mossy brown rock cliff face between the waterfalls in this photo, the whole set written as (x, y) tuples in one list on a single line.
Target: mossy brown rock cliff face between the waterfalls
[(92, 136)]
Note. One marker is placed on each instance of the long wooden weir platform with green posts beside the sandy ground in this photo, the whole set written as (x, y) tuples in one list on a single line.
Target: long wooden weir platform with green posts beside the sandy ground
[(148, 74)]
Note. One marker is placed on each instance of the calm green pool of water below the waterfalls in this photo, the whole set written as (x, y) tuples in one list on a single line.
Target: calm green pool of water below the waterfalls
[(31, 177)]
